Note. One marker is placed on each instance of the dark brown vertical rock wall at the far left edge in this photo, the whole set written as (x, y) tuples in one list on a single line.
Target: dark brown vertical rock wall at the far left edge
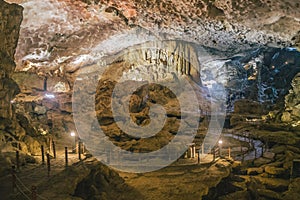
[(10, 21)]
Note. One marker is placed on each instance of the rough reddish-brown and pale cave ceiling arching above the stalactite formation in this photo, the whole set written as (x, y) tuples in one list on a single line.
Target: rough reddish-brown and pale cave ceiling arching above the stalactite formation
[(60, 35)]
